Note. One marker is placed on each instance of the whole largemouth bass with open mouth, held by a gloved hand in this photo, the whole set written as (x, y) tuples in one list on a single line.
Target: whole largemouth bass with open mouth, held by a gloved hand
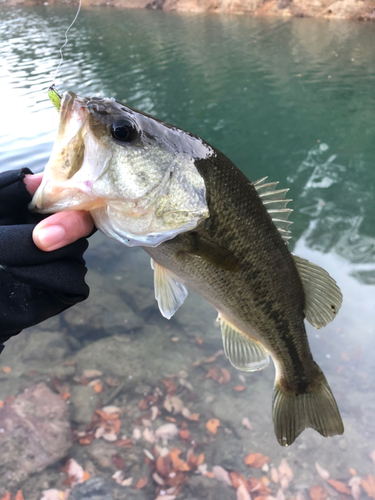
[(208, 228)]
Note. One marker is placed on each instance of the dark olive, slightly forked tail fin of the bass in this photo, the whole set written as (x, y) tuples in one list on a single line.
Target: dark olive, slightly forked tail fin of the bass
[(315, 408)]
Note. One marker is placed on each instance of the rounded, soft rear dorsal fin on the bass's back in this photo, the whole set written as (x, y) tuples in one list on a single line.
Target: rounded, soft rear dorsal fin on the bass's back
[(322, 295)]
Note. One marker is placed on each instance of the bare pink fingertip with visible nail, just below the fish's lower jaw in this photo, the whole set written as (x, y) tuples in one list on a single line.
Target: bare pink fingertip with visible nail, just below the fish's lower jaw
[(61, 229)]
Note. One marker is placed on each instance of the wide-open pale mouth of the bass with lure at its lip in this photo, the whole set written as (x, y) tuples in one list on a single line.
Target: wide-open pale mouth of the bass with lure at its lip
[(61, 187)]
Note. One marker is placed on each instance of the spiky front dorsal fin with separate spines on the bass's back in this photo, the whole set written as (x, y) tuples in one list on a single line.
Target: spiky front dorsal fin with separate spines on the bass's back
[(275, 203)]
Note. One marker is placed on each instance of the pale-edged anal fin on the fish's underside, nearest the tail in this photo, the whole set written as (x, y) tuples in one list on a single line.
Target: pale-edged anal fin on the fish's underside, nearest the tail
[(243, 352)]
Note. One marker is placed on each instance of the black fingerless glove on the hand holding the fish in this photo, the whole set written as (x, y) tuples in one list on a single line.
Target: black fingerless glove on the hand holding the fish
[(34, 285)]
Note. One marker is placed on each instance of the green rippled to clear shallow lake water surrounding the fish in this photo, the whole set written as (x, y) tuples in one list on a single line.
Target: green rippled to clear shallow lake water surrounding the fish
[(289, 99)]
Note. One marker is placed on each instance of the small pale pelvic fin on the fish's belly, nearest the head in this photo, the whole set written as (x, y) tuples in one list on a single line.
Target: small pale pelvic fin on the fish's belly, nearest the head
[(169, 292)]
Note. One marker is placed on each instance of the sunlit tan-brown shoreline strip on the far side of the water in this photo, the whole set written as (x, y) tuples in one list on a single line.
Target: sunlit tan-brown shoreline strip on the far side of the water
[(360, 10)]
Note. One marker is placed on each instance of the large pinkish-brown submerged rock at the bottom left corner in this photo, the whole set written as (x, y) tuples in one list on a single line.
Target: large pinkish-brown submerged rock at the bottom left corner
[(35, 433)]
